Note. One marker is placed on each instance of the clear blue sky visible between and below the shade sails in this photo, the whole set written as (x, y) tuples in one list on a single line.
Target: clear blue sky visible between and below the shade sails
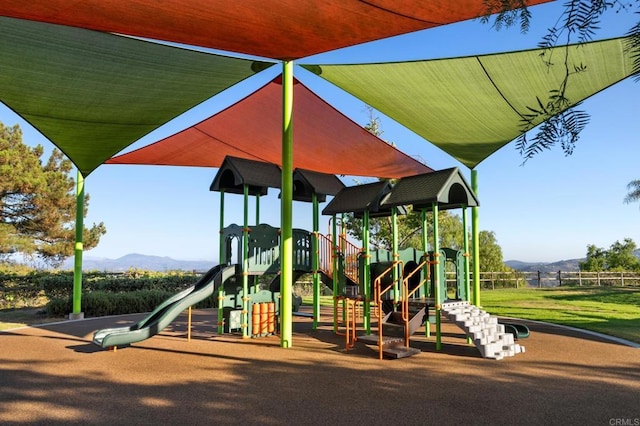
[(549, 209)]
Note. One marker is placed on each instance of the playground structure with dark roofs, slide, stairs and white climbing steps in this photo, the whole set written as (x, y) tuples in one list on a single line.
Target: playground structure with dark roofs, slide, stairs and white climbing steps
[(397, 290)]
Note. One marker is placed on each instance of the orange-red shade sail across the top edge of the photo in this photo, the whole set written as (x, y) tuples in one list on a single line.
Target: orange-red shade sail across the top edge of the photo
[(279, 29)]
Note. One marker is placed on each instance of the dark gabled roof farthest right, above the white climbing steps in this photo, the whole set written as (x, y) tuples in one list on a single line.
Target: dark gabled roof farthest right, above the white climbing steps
[(447, 188)]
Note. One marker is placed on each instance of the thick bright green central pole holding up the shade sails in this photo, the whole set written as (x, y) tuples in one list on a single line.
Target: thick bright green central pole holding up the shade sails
[(286, 253)]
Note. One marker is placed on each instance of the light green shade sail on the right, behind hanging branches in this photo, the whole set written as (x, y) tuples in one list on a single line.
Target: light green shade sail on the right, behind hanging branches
[(472, 106)]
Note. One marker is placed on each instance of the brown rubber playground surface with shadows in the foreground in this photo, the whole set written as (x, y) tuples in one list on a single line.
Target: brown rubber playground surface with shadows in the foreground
[(53, 374)]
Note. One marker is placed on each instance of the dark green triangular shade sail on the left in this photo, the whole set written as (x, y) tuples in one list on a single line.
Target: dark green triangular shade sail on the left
[(92, 94)]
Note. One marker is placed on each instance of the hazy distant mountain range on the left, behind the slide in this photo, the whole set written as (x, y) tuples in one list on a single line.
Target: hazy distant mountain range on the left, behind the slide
[(140, 261)]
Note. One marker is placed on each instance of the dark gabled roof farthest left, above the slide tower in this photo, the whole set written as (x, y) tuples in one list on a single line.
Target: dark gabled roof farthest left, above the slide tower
[(234, 173)]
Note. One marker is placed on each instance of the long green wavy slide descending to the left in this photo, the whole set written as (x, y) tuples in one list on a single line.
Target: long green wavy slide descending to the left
[(164, 314)]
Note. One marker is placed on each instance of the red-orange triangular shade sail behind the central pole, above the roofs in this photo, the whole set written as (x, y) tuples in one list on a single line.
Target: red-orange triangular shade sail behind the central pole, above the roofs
[(325, 140)]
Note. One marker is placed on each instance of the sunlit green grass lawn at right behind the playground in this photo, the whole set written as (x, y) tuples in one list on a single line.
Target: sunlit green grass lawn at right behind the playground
[(609, 310)]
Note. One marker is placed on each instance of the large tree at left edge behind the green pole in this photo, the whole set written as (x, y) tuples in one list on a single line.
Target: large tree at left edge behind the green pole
[(38, 203)]
